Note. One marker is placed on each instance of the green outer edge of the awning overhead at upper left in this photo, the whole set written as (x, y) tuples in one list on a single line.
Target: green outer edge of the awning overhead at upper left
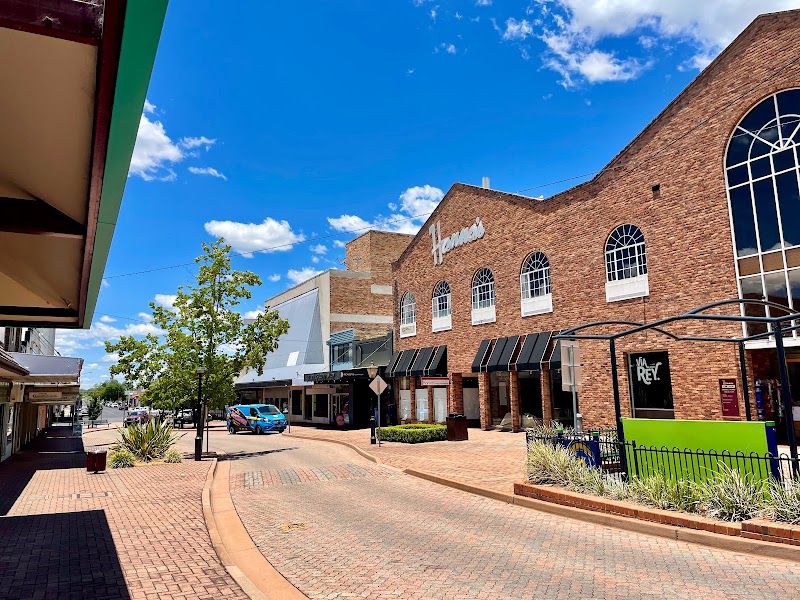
[(140, 37)]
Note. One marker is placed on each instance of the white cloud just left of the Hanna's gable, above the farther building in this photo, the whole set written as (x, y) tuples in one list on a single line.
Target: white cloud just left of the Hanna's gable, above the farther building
[(416, 205)]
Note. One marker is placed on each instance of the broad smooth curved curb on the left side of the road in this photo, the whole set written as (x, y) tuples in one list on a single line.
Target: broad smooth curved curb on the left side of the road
[(234, 546)]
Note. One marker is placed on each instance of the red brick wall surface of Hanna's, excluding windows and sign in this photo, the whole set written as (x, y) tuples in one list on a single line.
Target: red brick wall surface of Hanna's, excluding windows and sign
[(686, 228)]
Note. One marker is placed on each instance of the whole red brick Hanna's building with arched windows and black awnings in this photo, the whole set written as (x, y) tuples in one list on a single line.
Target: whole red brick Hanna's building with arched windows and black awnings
[(703, 205)]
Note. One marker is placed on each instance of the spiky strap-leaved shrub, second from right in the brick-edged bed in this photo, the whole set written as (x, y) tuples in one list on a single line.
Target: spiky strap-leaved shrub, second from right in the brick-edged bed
[(730, 496)]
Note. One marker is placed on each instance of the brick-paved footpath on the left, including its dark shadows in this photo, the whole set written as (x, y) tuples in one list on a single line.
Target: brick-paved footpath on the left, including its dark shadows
[(129, 533)]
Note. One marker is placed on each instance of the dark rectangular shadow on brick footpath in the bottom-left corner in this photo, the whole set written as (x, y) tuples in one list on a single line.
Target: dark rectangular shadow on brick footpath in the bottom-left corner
[(63, 555)]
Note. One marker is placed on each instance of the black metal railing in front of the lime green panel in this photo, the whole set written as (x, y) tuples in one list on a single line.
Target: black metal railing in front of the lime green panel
[(602, 450)]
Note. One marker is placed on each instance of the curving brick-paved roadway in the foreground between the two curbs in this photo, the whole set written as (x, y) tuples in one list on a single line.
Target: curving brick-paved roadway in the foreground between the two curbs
[(401, 537)]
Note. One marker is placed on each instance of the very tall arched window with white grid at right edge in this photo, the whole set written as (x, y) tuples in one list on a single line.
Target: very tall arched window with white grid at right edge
[(763, 180)]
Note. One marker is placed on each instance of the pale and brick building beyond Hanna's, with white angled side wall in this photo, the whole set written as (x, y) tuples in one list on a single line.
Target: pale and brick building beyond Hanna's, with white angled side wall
[(327, 314)]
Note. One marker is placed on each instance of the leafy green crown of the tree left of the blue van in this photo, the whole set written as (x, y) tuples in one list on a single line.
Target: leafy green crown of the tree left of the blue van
[(201, 330)]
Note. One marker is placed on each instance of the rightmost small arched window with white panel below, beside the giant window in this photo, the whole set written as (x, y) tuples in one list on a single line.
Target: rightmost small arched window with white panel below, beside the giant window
[(626, 264)]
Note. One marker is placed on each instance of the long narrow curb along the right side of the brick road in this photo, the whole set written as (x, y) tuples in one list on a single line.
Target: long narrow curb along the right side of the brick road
[(712, 540)]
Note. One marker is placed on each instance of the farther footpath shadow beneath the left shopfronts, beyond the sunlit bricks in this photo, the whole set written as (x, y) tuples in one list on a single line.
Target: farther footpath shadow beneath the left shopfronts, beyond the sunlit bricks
[(56, 450)]
